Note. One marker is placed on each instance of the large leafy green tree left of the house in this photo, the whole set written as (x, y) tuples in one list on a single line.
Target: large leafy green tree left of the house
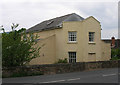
[(18, 47)]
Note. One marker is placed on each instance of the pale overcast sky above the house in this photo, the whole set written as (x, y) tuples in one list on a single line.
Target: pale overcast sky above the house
[(28, 13)]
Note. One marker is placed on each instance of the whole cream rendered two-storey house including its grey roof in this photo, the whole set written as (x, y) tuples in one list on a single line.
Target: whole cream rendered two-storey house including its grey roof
[(71, 37)]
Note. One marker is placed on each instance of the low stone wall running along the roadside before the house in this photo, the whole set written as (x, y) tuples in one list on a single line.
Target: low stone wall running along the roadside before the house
[(58, 68)]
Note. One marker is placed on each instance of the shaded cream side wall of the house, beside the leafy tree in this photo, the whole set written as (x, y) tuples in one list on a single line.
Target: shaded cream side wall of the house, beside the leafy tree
[(48, 49)]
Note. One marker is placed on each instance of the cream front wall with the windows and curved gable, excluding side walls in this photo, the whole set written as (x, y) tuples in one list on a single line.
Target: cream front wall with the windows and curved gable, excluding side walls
[(82, 47)]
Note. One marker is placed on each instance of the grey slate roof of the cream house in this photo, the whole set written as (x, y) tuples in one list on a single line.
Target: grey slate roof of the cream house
[(55, 22)]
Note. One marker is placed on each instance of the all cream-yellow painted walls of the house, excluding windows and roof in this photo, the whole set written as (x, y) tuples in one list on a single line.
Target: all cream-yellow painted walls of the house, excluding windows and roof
[(57, 45)]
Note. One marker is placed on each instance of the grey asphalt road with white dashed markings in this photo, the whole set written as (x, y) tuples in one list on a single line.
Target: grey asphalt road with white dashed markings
[(97, 76)]
